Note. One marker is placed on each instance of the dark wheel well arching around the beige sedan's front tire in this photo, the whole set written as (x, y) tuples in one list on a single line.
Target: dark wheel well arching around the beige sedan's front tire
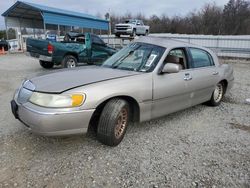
[(133, 105)]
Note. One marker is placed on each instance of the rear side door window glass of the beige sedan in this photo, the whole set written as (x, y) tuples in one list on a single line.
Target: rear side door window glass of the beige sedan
[(200, 58)]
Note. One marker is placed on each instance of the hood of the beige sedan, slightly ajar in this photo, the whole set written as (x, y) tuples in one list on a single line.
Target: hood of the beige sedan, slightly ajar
[(61, 81)]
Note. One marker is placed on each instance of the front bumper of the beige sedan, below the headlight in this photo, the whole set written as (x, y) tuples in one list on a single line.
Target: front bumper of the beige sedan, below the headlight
[(48, 123)]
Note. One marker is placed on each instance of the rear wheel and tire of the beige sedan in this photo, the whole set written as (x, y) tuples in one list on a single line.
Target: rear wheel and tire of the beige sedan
[(217, 95)]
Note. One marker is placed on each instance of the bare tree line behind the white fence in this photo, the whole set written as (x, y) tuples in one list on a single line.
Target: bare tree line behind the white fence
[(232, 19)]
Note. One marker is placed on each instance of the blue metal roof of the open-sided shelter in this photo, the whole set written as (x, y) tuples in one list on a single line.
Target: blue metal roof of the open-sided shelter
[(55, 16)]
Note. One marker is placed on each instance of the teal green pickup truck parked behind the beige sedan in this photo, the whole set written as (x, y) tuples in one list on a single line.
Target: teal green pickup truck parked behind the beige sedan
[(76, 48)]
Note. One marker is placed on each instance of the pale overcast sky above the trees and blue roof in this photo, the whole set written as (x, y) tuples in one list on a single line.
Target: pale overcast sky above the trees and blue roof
[(147, 7)]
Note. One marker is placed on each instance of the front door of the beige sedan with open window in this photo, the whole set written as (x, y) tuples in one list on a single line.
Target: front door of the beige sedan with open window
[(170, 92)]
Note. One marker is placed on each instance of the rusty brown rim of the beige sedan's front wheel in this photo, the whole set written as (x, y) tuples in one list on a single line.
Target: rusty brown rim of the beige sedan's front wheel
[(121, 124)]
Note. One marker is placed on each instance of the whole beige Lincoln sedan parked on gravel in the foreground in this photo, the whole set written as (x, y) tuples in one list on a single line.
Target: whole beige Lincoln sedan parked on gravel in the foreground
[(149, 78)]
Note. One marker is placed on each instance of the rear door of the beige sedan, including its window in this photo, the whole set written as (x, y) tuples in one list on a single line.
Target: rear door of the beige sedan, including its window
[(203, 75)]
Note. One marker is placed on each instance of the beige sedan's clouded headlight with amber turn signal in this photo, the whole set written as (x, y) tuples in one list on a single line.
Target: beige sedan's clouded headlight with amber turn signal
[(57, 100)]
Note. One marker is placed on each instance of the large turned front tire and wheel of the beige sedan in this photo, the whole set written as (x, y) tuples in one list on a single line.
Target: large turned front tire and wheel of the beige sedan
[(113, 122)]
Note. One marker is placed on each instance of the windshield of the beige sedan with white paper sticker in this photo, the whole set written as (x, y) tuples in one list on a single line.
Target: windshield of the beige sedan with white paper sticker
[(139, 57)]
